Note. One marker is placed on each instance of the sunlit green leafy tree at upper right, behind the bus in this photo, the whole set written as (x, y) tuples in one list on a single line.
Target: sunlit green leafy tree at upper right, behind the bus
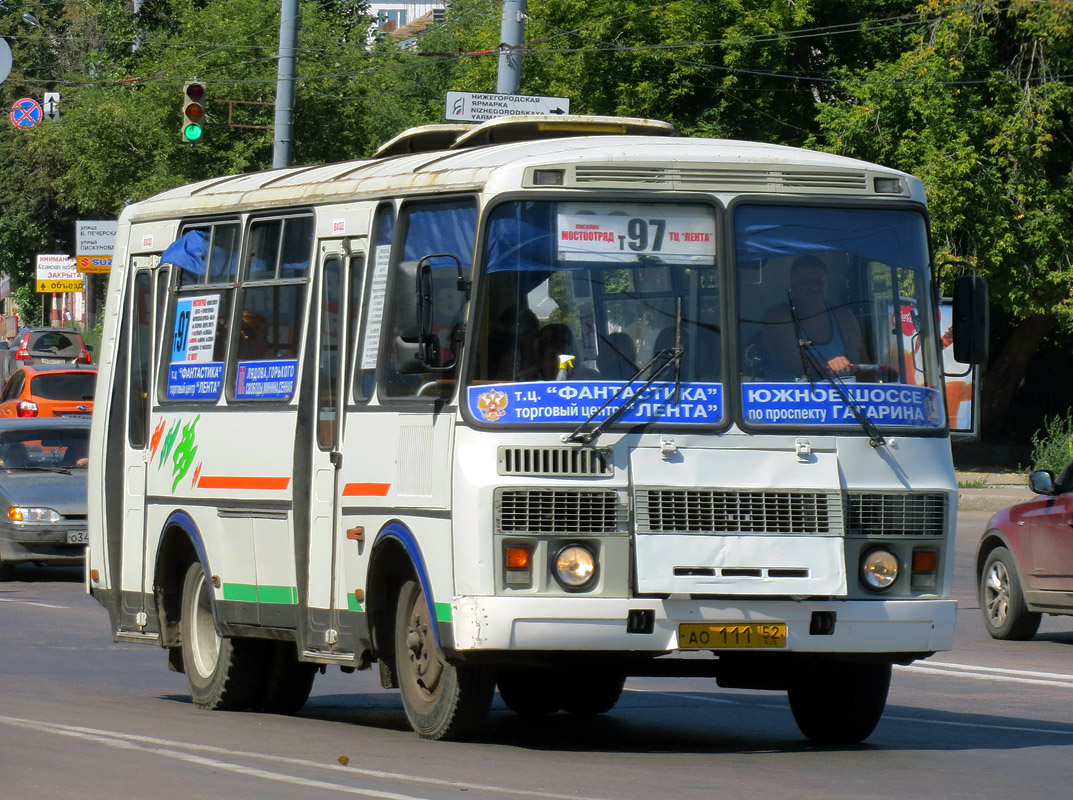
[(979, 108)]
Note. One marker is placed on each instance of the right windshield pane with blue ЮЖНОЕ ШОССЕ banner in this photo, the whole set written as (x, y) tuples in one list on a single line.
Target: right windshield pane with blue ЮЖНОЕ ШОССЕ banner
[(829, 295)]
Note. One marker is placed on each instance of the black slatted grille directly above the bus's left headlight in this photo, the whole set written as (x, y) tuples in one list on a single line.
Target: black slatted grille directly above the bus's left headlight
[(560, 512)]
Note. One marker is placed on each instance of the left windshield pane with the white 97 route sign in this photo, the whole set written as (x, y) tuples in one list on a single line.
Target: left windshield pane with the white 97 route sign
[(579, 297)]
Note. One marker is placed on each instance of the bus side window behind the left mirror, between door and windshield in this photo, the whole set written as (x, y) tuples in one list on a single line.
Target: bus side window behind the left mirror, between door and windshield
[(431, 230)]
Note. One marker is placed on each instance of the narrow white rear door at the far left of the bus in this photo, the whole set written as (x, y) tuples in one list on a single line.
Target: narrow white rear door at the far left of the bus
[(148, 297)]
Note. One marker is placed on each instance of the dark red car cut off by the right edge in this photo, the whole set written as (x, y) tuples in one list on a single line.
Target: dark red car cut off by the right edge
[(1025, 559)]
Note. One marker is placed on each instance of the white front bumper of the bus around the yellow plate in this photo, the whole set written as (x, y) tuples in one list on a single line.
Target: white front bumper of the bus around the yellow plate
[(595, 625)]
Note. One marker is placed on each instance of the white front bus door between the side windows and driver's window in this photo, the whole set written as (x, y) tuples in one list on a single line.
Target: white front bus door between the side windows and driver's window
[(339, 302)]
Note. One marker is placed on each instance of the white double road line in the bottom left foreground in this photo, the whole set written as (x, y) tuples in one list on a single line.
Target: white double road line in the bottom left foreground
[(173, 749)]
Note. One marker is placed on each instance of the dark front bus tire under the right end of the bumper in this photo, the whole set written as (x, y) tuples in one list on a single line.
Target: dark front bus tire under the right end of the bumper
[(840, 703)]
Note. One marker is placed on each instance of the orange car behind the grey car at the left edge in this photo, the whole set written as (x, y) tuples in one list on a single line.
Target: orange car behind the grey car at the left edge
[(49, 392)]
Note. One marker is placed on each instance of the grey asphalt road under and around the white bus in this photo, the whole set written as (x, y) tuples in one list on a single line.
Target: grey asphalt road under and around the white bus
[(84, 718)]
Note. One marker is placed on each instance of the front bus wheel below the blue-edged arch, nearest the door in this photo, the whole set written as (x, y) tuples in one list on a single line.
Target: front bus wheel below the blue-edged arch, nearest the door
[(443, 701)]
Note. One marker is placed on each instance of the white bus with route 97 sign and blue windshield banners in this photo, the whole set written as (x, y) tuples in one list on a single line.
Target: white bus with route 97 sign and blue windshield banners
[(541, 405)]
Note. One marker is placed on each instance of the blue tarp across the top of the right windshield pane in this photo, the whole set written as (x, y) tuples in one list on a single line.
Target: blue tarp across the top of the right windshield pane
[(888, 236)]
